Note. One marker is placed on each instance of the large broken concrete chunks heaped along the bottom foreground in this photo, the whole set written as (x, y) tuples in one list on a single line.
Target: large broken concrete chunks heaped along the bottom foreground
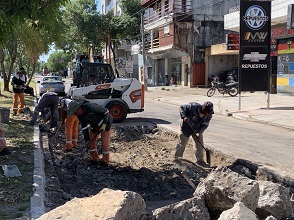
[(223, 194)]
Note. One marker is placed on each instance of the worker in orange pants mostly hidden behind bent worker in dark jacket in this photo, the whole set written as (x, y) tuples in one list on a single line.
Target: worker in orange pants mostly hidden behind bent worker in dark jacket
[(71, 125)]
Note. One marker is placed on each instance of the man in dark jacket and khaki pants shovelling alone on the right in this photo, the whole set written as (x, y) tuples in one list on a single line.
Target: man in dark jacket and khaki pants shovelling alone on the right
[(195, 119)]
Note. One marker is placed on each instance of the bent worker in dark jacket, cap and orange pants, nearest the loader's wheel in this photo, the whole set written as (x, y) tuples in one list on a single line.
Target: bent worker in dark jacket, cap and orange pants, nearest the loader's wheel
[(99, 120)]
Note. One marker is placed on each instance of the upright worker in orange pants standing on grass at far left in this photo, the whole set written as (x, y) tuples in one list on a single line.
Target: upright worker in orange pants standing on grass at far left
[(18, 85)]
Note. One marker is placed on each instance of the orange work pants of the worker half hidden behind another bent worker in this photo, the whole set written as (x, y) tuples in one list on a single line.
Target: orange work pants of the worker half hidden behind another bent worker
[(71, 131)]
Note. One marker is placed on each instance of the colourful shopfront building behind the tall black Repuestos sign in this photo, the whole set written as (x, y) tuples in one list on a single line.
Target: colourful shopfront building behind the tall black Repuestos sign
[(282, 47)]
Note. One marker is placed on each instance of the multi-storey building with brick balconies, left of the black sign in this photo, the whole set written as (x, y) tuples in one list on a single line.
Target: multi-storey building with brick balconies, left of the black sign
[(180, 38)]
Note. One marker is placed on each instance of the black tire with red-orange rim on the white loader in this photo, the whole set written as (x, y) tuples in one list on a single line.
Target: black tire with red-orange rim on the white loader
[(118, 111)]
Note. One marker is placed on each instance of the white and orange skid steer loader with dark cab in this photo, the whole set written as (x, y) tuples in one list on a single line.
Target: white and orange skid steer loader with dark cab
[(95, 81)]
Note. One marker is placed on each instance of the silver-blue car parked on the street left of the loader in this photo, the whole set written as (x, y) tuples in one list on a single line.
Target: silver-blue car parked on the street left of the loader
[(53, 84)]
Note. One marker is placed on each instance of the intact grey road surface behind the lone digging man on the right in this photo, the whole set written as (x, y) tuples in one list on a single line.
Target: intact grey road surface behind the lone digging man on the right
[(262, 144)]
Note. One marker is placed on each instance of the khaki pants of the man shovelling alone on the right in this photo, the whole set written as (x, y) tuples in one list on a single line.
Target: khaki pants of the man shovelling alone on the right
[(183, 140)]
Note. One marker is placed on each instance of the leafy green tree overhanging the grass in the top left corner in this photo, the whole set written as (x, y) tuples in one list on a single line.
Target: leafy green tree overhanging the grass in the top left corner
[(30, 29)]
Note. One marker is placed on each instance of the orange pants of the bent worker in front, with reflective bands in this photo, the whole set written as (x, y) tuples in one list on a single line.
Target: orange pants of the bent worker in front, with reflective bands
[(105, 142)]
